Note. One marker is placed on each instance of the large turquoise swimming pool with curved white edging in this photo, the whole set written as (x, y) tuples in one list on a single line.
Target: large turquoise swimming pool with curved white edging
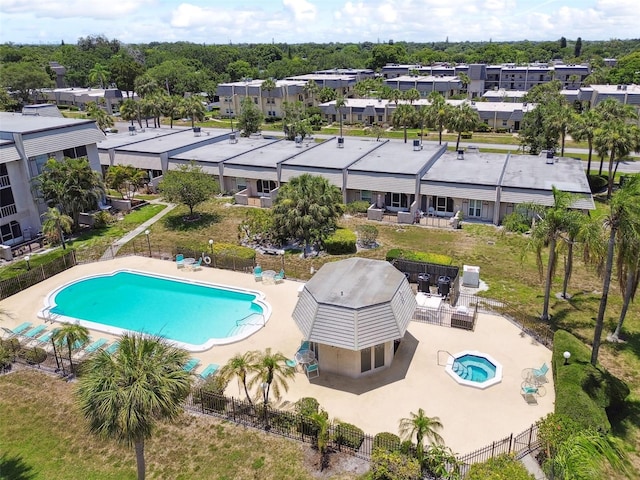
[(194, 315)]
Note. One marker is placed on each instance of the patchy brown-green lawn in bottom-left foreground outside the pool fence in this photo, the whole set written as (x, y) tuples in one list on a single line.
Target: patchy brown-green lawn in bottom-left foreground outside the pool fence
[(46, 438)]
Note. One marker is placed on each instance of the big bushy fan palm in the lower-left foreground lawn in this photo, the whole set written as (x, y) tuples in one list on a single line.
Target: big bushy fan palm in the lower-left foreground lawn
[(124, 395)]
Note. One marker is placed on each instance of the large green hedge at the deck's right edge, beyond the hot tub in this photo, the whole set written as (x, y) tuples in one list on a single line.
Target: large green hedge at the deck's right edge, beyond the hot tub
[(584, 393)]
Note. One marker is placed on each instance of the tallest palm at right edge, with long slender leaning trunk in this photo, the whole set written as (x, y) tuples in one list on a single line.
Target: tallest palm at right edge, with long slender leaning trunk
[(623, 222)]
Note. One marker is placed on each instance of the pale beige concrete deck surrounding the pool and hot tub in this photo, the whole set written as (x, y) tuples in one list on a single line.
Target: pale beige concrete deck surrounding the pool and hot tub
[(472, 418)]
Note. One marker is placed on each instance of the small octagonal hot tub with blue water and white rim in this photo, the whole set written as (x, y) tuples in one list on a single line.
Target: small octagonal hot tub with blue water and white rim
[(474, 369)]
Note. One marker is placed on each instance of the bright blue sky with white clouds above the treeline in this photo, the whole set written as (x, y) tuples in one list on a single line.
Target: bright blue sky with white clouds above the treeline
[(321, 21)]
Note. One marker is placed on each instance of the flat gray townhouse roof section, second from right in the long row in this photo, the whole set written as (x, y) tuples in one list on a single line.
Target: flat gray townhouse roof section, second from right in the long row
[(474, 168)]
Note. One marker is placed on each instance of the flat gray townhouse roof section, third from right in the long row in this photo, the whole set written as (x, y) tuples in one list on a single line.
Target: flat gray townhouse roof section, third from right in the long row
[(395, 156)]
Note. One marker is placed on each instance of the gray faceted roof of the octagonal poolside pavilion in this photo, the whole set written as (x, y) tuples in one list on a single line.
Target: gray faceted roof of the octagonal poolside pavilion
[(355, 304)]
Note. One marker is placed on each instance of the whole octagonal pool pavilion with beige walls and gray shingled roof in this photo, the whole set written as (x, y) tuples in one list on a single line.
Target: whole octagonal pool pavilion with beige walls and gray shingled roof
[(353, 312)]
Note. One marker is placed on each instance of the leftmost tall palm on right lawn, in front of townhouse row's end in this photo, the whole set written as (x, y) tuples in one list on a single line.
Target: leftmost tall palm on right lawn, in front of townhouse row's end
[(548, 231)]
